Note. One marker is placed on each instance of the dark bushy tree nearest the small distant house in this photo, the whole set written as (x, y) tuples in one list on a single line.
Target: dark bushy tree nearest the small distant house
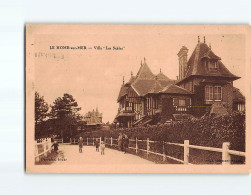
[(65, 112)]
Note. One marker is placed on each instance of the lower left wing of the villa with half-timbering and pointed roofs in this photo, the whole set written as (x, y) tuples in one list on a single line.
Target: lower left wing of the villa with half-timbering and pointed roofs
[(143, 99)]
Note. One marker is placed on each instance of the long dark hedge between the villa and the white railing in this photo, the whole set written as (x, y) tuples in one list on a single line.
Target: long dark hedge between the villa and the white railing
[(207, 131)]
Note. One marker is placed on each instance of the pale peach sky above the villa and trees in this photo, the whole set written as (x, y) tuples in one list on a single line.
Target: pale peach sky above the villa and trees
[(94, 77)]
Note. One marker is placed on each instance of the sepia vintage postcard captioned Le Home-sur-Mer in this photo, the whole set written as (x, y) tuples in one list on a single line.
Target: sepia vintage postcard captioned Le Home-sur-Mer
[(137, 98)]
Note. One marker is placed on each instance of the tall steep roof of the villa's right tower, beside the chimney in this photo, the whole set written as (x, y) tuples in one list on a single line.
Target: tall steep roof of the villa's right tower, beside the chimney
[(196, 67)]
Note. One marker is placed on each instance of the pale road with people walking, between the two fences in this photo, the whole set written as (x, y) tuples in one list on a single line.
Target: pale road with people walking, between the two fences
[(69, 154)]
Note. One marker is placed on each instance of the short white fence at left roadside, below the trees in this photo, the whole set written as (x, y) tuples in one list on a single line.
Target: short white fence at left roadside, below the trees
[(42, 148)]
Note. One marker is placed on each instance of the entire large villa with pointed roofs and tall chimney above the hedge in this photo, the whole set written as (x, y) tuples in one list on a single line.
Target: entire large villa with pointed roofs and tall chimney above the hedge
[(204, 87)]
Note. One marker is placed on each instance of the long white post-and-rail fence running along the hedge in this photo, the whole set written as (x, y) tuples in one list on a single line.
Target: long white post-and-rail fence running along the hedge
[(226, 152)]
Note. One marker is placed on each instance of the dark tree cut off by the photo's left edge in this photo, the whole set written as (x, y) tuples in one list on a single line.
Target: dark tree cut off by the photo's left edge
[(41, 112)]
